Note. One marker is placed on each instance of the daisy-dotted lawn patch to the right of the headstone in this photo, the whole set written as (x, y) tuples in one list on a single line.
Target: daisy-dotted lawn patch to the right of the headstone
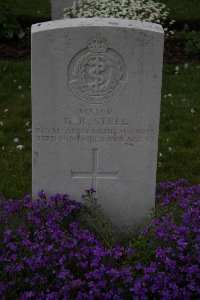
[(179, 127)]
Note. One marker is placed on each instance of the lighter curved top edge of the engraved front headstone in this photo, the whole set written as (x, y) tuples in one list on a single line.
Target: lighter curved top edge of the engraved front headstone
[(104, 22)]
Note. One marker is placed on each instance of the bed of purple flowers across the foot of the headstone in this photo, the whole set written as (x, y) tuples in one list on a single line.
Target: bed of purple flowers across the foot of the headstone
[(47, 252)]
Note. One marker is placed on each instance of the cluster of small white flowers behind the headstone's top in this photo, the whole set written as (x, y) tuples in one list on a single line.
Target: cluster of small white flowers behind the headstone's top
[(128, 9)]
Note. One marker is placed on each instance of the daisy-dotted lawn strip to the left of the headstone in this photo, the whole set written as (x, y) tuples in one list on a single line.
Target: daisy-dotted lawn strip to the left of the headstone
[(15, 174)]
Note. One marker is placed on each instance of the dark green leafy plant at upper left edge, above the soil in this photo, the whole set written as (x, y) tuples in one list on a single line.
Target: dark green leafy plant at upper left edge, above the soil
[(9, 26)]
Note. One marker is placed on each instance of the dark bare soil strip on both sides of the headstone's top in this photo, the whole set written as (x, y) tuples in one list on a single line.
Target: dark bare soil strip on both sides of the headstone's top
[(21, 49)]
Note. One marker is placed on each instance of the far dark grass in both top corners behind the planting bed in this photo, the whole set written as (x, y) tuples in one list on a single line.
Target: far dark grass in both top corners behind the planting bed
[(183, 11)]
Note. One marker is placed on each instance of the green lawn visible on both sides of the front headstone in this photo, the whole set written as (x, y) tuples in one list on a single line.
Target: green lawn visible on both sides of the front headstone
[(179, 128)]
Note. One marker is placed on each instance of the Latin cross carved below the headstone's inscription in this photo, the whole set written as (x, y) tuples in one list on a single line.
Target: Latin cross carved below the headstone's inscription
[(94, 174)]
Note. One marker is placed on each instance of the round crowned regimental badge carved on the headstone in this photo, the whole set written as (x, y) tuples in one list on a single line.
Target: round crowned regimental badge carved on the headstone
[(97, 74)]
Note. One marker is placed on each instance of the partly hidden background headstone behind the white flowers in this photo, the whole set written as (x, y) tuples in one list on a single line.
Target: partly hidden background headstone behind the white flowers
[(57, 7)]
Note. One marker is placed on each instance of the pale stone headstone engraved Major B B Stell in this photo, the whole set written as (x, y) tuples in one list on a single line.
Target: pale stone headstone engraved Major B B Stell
[(96, 92)]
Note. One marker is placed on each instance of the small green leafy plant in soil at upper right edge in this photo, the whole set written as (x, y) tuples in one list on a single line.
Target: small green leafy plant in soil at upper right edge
[(190, 40)]
